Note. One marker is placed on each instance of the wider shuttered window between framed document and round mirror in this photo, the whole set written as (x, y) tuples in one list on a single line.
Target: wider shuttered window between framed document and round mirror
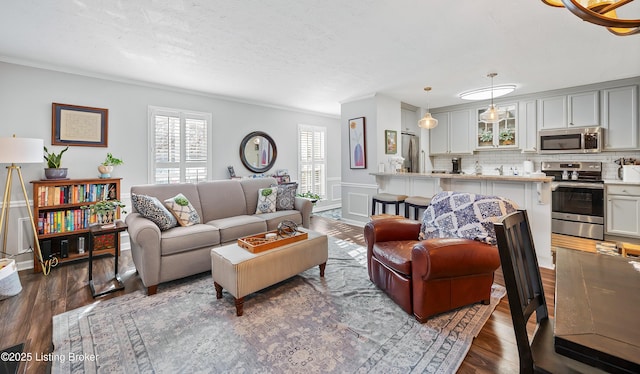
[(180, 142)]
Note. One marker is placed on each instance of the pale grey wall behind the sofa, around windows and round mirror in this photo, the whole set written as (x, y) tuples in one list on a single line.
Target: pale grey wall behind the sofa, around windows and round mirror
[(26, 95)]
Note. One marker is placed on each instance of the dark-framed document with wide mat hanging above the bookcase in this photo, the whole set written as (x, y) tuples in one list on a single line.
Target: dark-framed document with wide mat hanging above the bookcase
[(79, 125)]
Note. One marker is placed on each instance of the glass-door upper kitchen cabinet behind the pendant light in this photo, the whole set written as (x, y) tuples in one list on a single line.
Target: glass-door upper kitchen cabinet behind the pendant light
[(502, 134)]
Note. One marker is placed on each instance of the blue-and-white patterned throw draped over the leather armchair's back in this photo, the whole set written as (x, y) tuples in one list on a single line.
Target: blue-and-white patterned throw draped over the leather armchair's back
[(464, 215)]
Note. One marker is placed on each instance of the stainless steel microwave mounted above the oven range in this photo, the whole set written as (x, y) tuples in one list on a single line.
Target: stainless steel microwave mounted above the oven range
[(570, 140)]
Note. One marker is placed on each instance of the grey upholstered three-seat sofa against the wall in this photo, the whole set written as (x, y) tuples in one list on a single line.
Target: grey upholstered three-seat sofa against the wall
[(227, 211)]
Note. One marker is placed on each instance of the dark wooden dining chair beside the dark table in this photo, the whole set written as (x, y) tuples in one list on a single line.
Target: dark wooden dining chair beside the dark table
[(526, 296)]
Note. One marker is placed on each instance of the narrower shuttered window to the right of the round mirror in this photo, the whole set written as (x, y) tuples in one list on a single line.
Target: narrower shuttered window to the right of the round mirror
[(312, 161)]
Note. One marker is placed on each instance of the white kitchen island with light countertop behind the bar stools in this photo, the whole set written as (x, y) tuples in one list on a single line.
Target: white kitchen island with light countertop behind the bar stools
[(531, 192)]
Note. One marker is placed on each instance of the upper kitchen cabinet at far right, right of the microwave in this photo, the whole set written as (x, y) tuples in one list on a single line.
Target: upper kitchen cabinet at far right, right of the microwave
[(620, 118)]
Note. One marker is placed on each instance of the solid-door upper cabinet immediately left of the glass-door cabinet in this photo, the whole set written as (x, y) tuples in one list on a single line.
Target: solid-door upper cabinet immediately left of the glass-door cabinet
[(451, 136)]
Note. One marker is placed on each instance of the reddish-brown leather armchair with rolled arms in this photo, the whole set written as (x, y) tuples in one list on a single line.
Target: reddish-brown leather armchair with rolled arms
[(431, 276)]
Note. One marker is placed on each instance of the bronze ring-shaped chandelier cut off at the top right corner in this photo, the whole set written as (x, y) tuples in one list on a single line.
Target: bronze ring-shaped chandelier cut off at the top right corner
[(600, 12)]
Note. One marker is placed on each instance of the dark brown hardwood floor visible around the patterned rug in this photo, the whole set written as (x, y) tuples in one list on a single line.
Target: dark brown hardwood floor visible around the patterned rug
[(27, 317)]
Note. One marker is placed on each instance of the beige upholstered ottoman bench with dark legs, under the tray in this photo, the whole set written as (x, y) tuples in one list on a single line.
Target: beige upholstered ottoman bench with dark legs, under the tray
[(241, 272)]
